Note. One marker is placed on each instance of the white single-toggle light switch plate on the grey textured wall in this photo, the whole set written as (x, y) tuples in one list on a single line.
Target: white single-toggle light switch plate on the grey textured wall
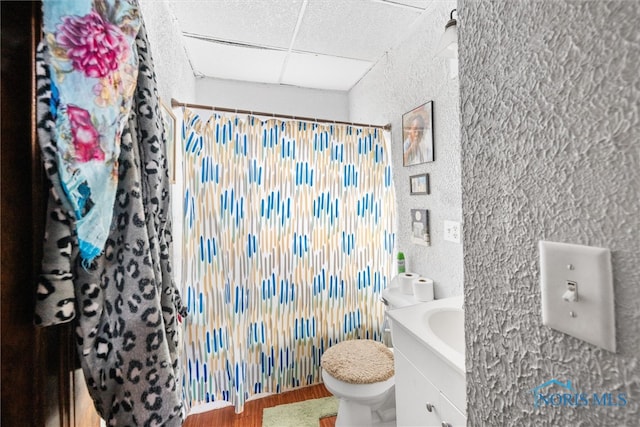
[(587, 269)]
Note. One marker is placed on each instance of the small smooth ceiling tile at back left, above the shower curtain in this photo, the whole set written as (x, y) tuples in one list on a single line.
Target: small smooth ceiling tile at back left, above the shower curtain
[(233, 62)]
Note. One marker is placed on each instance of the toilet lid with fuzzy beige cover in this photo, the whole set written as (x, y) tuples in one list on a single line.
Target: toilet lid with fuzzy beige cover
[(358, 362)]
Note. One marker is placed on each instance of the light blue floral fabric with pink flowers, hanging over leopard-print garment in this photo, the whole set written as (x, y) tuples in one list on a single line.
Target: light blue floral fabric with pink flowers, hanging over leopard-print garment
[(93, 65)]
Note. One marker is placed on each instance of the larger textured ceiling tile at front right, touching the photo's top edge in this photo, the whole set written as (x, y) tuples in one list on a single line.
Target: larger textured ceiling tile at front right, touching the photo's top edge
[(353, 28)]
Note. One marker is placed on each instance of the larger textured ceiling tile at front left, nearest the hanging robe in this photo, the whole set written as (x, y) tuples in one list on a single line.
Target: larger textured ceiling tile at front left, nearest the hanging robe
[(265, 23)]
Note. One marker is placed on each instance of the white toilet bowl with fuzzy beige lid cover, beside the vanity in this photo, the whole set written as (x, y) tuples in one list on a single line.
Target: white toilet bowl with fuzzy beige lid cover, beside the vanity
[(360, 374)]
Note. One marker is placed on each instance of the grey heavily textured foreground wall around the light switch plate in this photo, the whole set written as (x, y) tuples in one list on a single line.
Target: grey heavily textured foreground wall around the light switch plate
[(550, 116)]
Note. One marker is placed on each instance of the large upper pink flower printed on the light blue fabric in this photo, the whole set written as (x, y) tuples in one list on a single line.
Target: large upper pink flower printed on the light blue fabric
[(94, 46)]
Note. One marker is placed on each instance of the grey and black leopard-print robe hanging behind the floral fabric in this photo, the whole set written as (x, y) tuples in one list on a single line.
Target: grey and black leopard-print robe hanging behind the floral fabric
[(125, 306)]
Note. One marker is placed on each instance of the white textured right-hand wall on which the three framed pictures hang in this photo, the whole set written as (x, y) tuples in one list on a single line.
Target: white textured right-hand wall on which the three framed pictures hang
[(407, 77)]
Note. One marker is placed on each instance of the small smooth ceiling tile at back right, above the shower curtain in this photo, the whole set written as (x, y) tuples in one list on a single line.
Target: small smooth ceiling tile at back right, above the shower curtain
[(323, 72)]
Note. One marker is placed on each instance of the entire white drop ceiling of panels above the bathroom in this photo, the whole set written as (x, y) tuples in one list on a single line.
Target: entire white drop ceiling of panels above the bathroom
[(319, 44)]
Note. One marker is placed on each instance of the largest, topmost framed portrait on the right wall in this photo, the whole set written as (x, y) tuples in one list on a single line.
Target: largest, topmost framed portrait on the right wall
[(417, 135)]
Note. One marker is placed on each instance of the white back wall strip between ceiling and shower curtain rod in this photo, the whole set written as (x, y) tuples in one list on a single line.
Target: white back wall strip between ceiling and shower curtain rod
[(268, 98)]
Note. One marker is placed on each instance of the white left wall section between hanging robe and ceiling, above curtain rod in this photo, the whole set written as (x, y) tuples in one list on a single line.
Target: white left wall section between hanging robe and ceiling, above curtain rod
[(173, 71)]
